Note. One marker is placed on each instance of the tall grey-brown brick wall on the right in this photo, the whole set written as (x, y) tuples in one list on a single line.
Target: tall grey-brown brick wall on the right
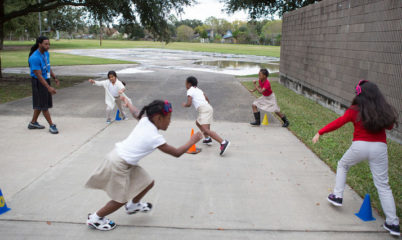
[(328, 47)]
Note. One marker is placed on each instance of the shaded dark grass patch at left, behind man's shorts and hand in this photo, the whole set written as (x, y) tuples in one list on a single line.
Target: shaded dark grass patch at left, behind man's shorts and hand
[(16, 86)]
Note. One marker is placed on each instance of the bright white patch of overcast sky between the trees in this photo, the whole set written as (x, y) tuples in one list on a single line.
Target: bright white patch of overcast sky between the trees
[(207, 8)]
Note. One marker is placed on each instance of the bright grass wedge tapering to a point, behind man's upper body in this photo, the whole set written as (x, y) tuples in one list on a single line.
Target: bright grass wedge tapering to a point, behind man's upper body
[(20, 59)]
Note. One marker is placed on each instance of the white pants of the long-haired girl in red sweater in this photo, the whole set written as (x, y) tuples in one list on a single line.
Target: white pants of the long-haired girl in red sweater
[(377, 155)]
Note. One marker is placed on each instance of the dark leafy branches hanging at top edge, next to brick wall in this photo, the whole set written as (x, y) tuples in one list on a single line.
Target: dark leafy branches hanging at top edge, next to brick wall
[(260, 8)]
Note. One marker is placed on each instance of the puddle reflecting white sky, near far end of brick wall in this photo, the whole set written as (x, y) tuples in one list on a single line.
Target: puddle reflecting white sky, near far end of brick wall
[(237, 67)]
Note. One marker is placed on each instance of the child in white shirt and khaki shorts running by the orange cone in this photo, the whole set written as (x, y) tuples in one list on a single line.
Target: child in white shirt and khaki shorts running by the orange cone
[(196, 97)]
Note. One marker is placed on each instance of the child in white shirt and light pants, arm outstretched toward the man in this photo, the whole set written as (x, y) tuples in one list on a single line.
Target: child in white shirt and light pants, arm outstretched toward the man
[(113, 89)]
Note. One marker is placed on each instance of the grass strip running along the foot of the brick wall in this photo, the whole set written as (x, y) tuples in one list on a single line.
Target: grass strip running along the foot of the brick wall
[(307, 117)]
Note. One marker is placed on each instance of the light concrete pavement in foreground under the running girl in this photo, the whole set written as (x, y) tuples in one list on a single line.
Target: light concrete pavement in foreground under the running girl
[(268, 185)]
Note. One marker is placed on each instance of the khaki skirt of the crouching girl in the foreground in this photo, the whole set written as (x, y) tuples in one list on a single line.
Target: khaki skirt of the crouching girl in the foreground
[(120, 180)]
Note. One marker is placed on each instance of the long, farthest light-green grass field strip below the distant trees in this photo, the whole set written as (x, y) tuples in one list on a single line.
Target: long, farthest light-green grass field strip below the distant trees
[(273, 51)]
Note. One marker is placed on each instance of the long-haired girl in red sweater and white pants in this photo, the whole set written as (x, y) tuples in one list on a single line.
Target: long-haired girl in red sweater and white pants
[(370, 115)]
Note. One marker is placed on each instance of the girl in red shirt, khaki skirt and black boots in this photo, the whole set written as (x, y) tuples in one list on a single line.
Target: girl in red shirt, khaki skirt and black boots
[(267, 101)]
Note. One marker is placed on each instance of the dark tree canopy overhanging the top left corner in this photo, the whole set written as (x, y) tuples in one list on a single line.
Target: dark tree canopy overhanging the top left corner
[(152, 14)]
